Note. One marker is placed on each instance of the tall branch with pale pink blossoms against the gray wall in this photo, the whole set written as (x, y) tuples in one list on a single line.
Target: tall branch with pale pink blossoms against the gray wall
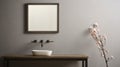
[(100, 41)]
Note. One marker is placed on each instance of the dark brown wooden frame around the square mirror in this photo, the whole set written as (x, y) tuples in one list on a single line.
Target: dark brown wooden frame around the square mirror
[(26, 18)]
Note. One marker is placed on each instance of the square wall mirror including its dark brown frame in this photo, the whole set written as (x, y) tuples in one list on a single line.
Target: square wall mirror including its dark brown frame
[(42, 18)]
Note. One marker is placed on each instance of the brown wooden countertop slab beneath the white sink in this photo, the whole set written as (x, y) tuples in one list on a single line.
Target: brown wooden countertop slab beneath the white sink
[(52, 57)]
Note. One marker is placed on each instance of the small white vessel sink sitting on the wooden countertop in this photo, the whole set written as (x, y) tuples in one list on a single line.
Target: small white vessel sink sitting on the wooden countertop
[(42, 52)]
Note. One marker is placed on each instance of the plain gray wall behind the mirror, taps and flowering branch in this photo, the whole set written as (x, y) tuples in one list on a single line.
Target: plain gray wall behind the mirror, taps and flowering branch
[(75, 17)]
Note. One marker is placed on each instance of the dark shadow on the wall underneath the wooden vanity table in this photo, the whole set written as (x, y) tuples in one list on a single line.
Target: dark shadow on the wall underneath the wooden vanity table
[(43, 63)]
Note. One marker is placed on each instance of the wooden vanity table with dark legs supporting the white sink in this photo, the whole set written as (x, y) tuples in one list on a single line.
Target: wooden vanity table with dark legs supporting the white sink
[(82, 58)]
